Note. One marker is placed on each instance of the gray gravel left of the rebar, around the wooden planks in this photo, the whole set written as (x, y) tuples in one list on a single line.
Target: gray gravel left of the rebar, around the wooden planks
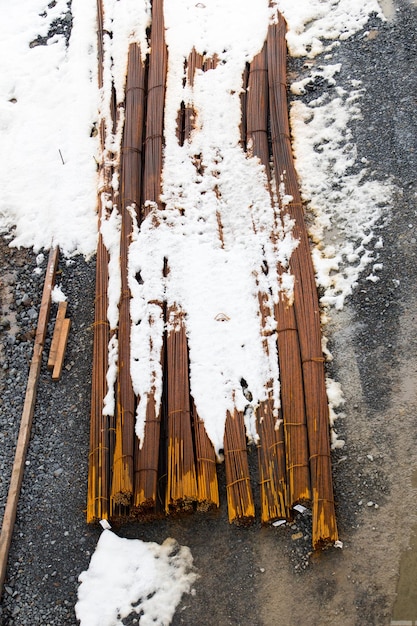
[(51, 541)]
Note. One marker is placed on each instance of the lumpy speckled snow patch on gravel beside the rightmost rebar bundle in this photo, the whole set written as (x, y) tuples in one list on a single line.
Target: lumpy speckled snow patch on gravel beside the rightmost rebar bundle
[(348, 206)]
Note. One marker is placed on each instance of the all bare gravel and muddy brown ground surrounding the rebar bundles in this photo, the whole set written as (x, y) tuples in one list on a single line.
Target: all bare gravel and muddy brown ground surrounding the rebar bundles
[(255, 576)]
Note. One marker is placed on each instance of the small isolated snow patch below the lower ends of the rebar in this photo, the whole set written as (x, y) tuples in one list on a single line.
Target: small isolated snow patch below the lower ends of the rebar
[(128, 576)]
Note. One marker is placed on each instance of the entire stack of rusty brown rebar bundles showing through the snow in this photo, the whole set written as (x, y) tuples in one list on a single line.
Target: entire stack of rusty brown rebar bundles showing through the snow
[(176, 453)]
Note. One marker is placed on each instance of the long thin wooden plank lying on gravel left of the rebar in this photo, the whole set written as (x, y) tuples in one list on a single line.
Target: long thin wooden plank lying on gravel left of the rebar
[(27, 417)]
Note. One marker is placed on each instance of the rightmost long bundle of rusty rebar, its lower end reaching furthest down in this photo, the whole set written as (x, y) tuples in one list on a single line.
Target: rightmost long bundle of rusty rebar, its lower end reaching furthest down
[(306, 304)]
